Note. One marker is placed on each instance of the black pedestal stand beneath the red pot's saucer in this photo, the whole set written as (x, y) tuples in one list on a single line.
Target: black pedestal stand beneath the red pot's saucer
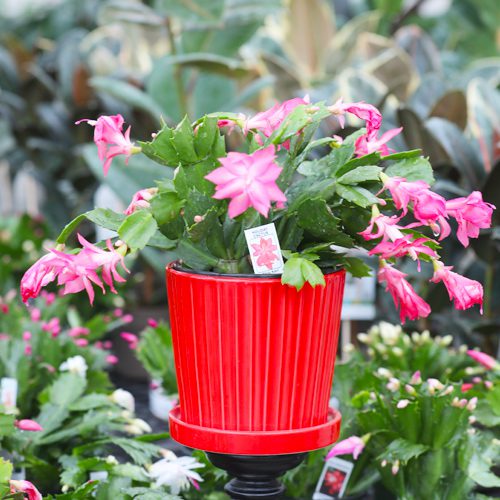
[(255, 476)]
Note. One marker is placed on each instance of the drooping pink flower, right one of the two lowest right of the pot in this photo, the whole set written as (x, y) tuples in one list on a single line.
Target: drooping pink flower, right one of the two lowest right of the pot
[(463, 291)]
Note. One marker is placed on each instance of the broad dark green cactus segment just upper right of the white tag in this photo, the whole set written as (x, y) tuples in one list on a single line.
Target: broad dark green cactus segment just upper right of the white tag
[(316, 218)]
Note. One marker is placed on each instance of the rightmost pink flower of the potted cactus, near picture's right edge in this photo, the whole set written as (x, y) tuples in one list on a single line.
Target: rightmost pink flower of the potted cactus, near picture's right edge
[(472, 214)]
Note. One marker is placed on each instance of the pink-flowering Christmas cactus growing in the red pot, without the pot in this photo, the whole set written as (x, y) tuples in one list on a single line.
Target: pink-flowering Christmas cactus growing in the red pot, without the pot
[(324, 195)]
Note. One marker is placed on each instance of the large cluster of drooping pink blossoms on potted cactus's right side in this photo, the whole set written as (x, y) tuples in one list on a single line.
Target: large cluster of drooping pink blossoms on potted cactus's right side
[(430, 209)]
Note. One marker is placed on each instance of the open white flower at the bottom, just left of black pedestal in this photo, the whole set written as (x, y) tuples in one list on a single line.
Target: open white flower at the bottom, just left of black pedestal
[(175, 472)]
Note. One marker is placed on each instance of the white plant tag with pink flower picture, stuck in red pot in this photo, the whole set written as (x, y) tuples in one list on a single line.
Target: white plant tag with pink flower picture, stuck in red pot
[(264, 249)]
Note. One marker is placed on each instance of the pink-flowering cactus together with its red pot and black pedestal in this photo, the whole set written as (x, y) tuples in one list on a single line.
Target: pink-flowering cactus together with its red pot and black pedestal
[(255, 339)]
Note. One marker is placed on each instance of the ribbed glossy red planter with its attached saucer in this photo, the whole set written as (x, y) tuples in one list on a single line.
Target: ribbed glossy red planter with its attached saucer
[(254, 362)]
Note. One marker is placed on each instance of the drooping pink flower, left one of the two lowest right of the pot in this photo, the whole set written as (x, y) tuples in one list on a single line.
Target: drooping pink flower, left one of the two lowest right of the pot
[(411, 305)]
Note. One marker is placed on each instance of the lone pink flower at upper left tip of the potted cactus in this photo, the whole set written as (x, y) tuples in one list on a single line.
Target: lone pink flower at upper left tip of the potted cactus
[(110, 140)]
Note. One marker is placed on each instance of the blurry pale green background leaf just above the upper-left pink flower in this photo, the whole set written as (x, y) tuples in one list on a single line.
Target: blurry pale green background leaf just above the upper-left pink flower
[(126, 93)]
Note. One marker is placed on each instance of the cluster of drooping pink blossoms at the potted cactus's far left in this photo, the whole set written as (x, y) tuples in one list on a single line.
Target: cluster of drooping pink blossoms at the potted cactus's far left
[(75, 271)]
